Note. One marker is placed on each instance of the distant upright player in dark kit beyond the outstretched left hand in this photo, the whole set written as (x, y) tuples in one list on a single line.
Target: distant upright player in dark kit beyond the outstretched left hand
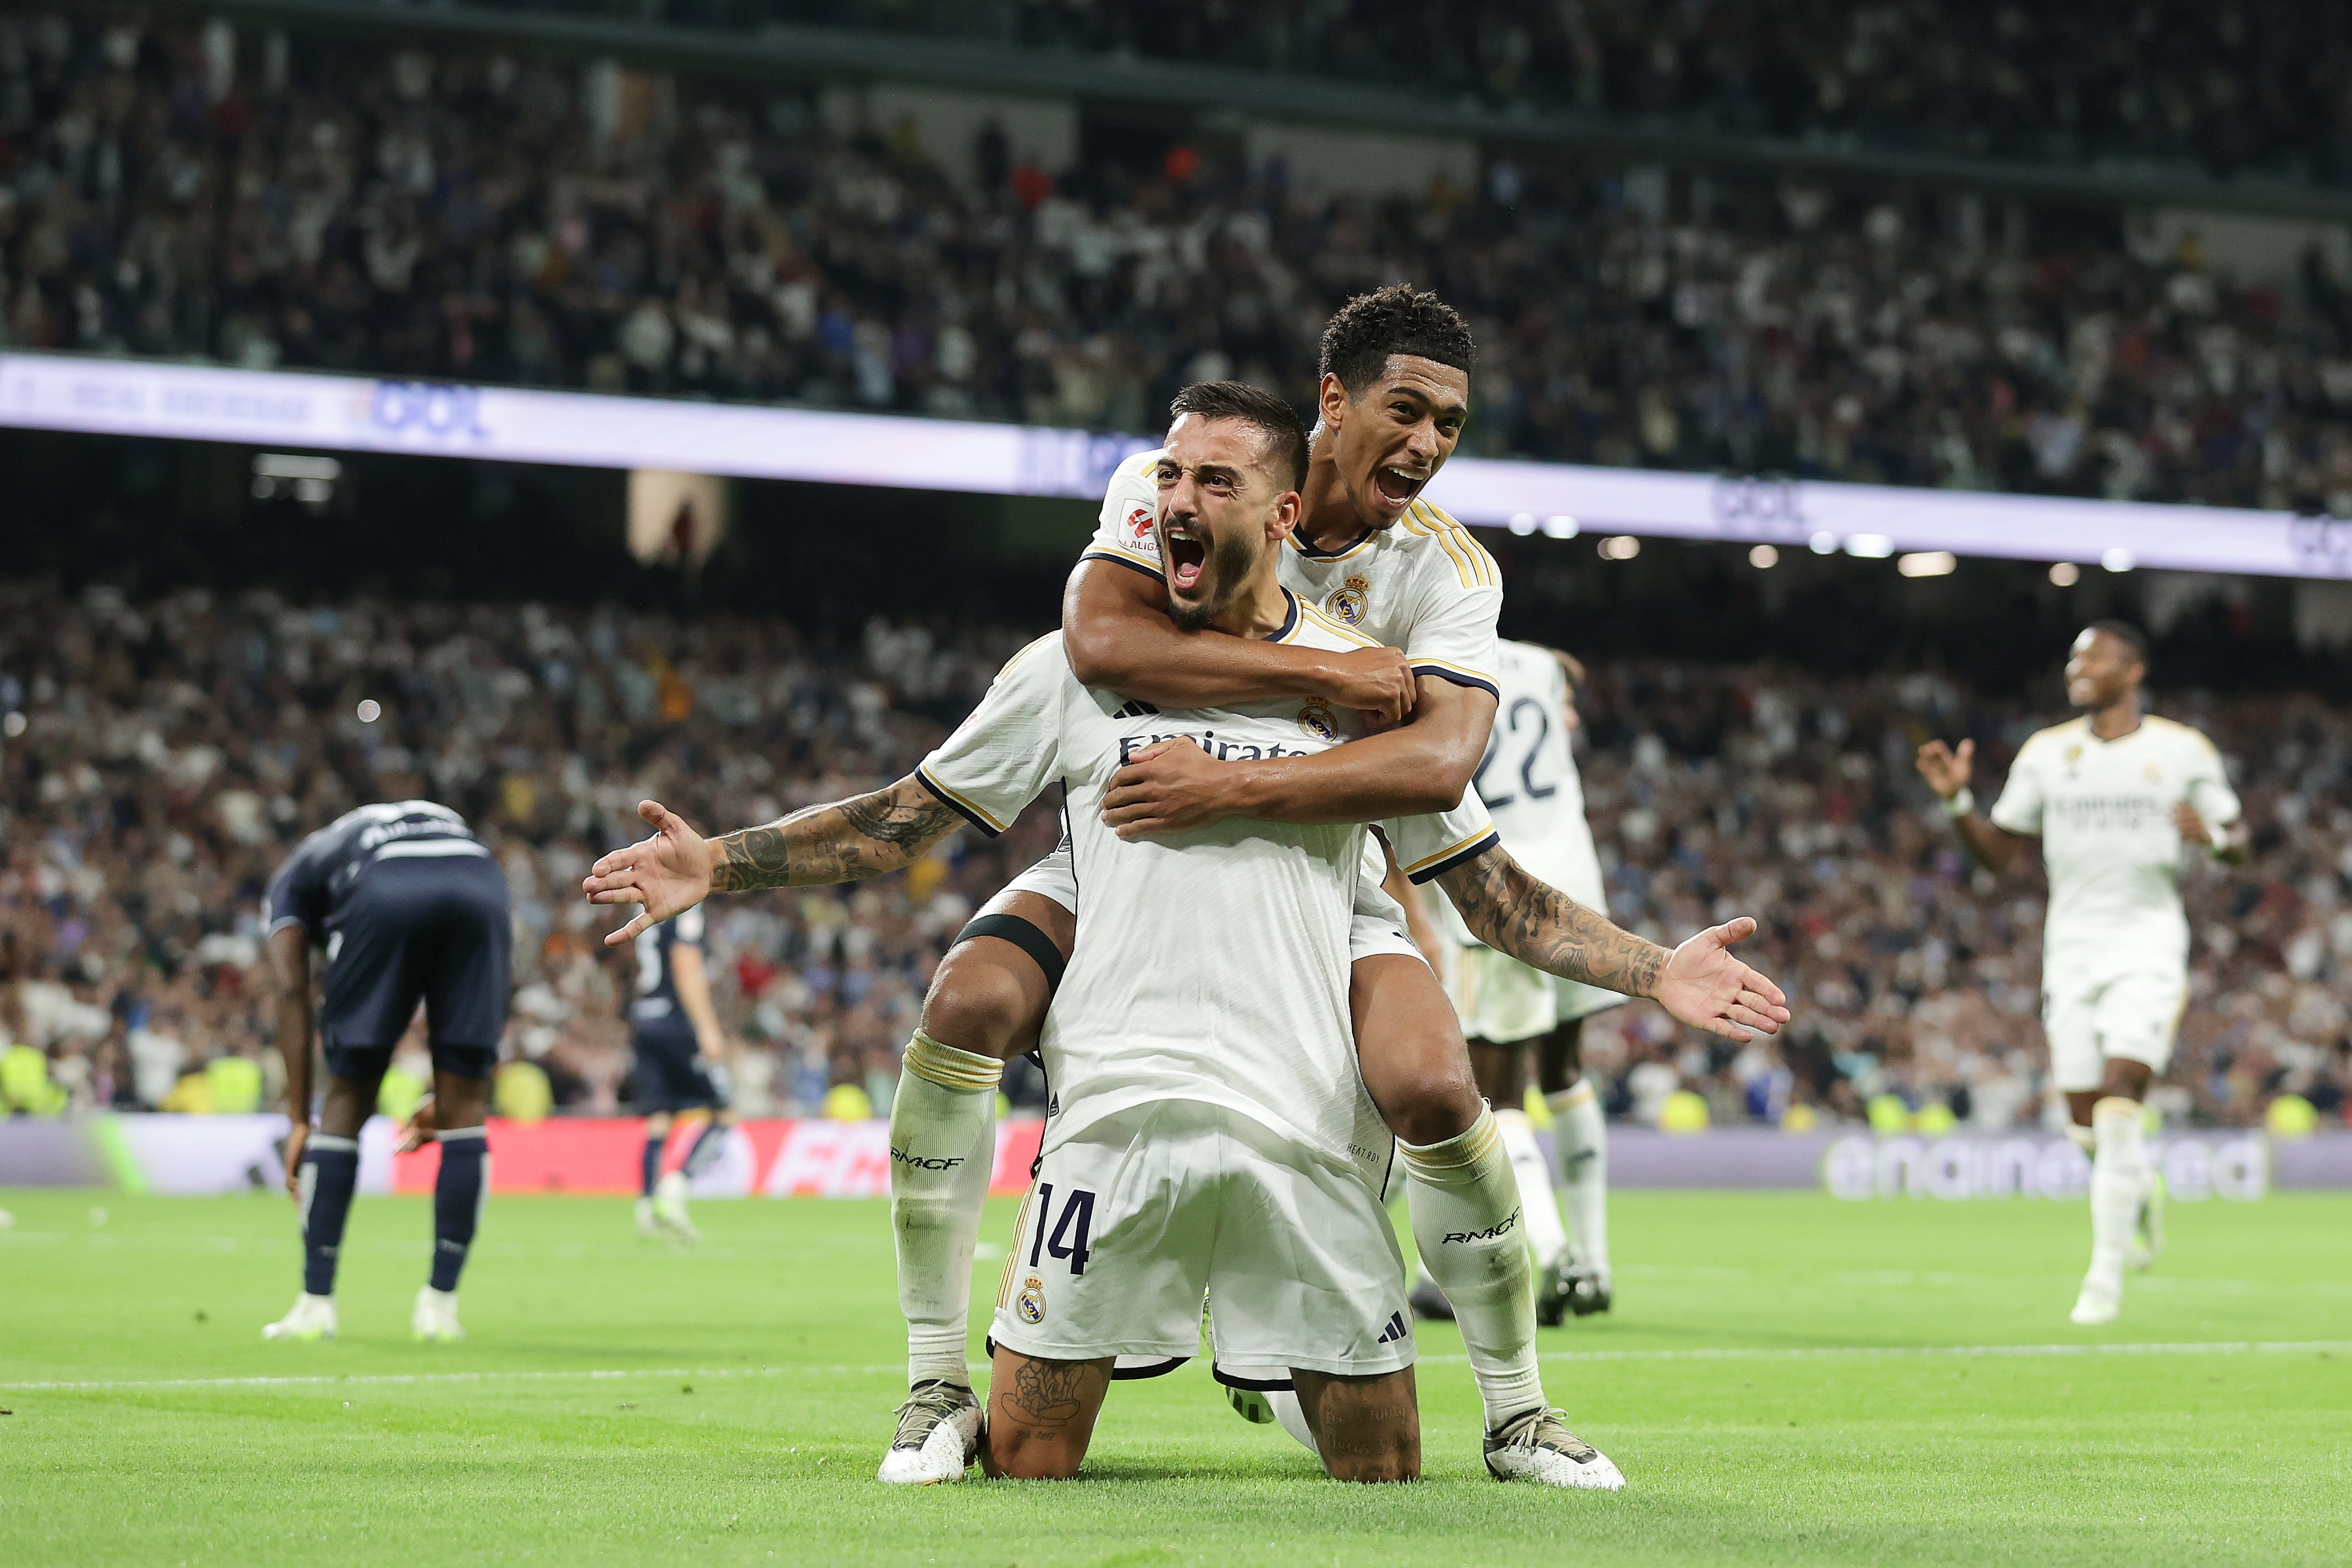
[(681, 1064)]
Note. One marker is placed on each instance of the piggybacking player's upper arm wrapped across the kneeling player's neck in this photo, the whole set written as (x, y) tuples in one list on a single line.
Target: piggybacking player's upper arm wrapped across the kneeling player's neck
[(1118, 634)]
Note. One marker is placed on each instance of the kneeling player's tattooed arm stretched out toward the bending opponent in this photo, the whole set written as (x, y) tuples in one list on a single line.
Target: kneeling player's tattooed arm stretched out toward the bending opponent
[(841, 843)]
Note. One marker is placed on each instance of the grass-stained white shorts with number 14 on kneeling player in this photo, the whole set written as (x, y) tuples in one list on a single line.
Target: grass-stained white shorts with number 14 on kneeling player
[(1142, 1214)]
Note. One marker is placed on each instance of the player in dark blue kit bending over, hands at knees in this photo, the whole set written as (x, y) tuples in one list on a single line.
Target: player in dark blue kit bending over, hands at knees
[(408, 906)]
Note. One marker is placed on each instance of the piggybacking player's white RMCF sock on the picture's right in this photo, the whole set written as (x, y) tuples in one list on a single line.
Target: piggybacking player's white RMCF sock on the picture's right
[(1466, 1226)]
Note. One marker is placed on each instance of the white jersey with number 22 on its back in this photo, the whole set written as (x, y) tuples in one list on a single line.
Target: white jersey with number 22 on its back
[(1530, 782)]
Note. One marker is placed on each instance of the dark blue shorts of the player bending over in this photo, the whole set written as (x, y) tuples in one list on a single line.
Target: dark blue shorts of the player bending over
[(422, 930)]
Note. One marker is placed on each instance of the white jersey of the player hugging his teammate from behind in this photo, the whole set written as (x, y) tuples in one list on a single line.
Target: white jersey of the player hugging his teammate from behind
[(1422, 587)]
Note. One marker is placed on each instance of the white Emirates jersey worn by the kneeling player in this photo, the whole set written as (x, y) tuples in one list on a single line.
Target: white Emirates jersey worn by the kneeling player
[(1210, 965)]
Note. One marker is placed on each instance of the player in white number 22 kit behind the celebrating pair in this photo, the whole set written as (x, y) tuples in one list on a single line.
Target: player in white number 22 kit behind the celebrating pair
[(1509, 1010)]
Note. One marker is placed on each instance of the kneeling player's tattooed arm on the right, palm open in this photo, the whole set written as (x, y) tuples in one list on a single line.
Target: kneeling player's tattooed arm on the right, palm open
[(1539, 925)]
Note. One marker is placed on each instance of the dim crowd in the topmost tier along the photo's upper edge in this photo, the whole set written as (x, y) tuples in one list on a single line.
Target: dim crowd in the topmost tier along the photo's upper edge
[(2217, 88)]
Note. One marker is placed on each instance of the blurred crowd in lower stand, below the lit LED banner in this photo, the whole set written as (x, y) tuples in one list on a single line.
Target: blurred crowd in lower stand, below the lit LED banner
[(161, 758)]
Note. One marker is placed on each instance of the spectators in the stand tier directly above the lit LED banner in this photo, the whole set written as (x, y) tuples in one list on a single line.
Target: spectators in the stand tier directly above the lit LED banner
[(481, 217)]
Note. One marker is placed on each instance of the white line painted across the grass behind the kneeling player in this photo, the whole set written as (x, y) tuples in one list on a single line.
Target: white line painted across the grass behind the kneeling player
[(1735, 1353)]
